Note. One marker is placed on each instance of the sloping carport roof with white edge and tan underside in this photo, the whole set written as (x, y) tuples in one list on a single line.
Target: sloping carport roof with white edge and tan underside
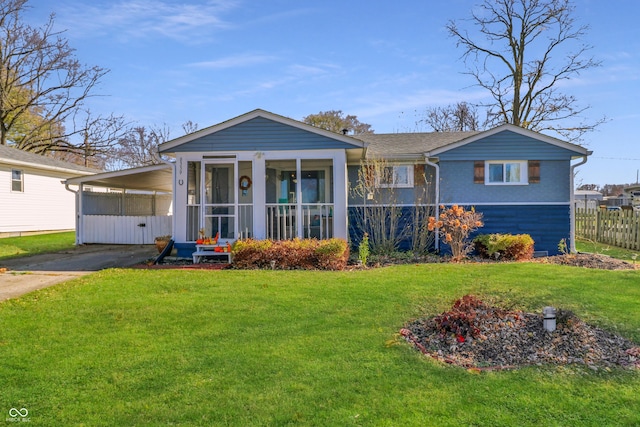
[(147, 178)]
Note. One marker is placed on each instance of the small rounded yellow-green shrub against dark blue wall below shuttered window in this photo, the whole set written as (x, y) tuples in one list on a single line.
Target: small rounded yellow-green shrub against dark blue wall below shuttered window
[(510, 247)]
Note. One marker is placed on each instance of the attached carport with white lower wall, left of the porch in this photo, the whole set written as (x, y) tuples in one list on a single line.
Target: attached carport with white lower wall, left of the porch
[(131, 206)]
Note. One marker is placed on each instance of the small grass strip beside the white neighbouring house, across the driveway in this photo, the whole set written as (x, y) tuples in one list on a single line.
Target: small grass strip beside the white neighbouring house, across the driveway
[(12, 247)]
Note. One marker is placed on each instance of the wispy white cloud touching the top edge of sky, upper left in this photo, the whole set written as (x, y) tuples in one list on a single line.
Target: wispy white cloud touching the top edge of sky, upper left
[(147, 18)]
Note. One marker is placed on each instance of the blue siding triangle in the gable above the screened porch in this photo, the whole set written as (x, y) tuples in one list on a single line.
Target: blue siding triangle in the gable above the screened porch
[(260, 134)]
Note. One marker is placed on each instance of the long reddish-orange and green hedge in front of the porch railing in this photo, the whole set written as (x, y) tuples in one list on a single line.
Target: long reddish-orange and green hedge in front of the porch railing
[(307, 254)]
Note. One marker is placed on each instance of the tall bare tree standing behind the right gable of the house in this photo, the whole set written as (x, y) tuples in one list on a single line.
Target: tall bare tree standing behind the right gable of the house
[(515, 58)]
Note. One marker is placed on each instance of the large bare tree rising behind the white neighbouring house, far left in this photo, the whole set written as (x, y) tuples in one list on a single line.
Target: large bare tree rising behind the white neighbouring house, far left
[(42, 84)]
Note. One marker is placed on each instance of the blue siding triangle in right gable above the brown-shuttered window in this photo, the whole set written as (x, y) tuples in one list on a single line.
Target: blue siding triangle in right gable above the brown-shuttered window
[(508, 145)]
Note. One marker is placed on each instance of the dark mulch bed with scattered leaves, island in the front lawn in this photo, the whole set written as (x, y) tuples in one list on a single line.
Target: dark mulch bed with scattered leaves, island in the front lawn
[(510, 339)]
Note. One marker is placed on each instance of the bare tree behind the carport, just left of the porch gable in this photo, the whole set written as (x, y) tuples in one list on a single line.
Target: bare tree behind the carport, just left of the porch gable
[(139, 147)]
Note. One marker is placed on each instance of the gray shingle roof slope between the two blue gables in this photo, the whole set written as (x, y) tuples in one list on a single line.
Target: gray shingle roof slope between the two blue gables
[(407, 144)]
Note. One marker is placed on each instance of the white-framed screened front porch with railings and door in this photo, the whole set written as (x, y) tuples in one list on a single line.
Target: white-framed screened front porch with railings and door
[(294, 198)]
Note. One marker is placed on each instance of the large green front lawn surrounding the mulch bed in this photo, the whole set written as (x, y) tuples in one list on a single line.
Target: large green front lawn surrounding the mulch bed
[(243, 348)]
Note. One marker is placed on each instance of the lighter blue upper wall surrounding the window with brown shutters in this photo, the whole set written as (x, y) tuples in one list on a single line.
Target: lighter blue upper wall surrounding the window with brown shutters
[(457, 186)]
